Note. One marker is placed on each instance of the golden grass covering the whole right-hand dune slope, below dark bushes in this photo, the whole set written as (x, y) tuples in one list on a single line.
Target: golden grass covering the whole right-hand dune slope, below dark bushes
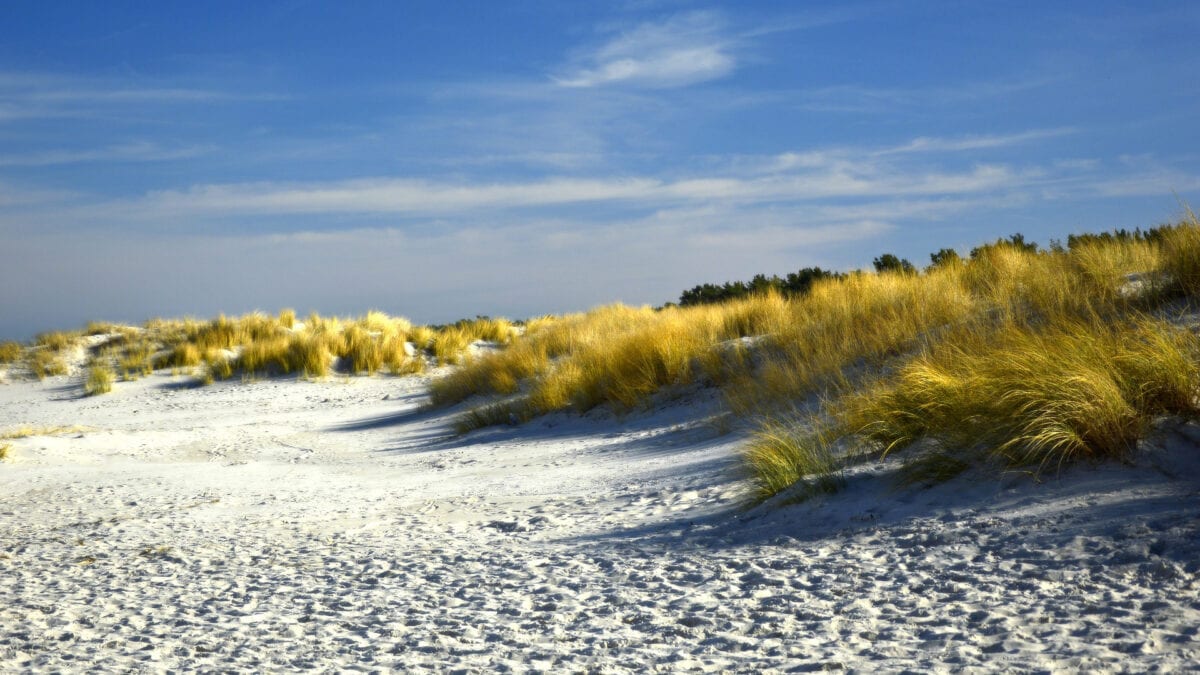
[(1010, 359)]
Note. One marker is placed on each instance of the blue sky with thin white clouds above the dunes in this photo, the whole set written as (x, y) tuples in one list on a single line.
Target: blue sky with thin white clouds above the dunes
[(443, 160)]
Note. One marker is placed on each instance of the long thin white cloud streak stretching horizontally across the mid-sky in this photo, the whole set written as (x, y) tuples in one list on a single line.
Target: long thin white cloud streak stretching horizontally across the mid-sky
[(425, 198)]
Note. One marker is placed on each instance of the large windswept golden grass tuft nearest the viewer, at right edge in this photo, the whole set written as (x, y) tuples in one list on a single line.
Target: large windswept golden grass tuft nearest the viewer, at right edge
[(1037, 398)]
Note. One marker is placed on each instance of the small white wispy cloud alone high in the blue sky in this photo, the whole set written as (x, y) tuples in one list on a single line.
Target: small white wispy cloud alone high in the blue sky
[(685, 50)]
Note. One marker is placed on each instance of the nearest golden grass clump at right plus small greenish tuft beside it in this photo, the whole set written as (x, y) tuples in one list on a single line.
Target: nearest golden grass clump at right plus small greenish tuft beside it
[(1019, 398)]
